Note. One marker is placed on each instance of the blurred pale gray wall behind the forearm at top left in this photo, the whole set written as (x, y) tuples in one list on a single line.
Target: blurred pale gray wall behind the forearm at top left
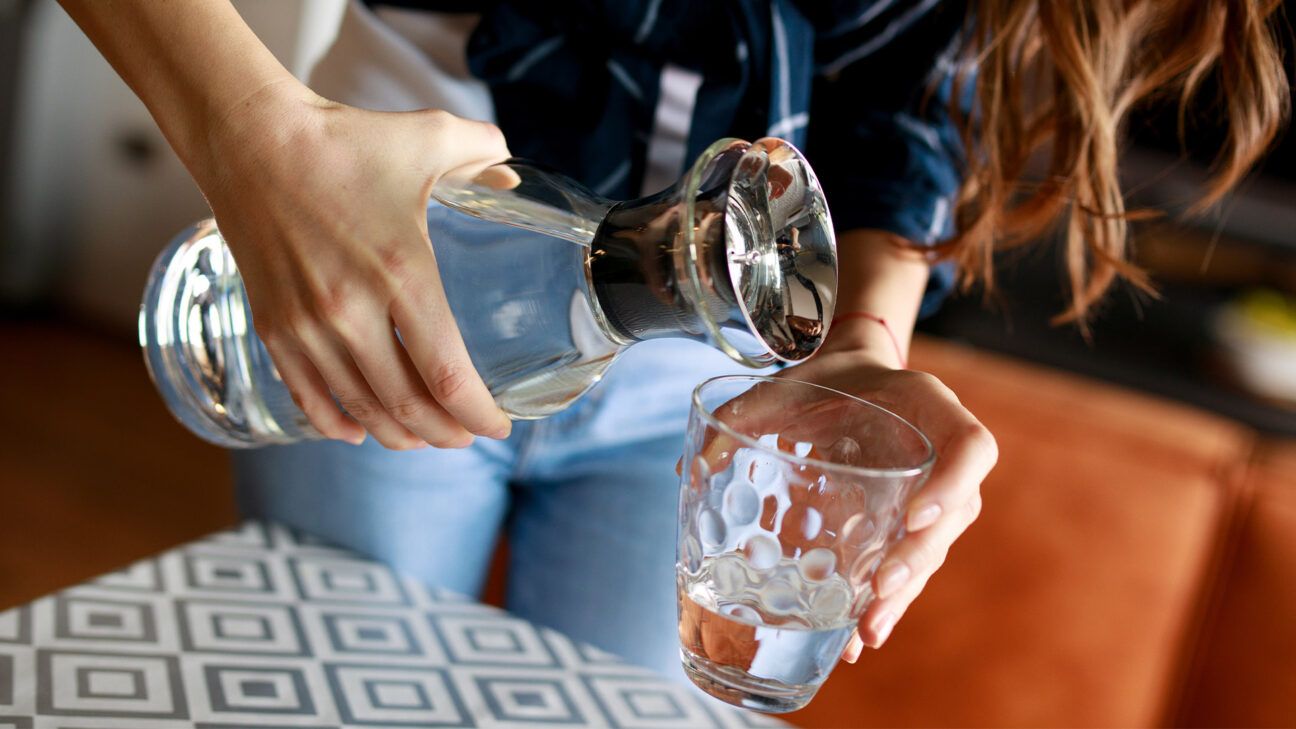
[(98, 191)]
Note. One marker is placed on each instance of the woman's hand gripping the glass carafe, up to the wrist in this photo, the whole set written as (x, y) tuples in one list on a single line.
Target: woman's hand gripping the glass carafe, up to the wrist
[(325, 208)]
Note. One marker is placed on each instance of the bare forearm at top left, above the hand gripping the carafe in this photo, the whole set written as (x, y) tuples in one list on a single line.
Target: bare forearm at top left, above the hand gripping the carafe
[(194, 63)]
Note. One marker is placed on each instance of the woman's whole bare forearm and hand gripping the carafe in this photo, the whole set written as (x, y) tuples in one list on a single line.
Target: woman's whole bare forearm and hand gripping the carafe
[(325, 208)]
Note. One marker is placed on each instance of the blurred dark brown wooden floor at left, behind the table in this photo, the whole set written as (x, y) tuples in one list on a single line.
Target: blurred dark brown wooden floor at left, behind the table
[(94, 472)]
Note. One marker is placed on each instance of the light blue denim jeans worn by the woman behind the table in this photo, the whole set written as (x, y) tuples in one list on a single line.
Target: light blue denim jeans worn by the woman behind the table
[(588, 500)]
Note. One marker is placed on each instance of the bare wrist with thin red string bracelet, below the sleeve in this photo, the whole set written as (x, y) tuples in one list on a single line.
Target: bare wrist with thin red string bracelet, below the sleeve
[(881, 276)]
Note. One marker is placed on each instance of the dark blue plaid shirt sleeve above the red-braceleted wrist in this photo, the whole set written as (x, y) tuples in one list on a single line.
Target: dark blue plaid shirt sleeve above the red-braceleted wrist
[(881, 136)]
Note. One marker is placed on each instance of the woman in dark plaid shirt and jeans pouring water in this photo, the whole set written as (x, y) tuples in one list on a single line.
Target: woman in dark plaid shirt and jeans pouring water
[(923, 160)]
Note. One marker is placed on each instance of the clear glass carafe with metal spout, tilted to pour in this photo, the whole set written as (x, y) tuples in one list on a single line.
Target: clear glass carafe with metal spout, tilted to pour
[(548, 283)]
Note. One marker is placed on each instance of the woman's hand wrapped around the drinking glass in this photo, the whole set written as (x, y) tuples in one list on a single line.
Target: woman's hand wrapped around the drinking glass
[(944, 508)]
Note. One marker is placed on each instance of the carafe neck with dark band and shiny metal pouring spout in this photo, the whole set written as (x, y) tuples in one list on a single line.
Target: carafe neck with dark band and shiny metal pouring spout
[(741, 254)]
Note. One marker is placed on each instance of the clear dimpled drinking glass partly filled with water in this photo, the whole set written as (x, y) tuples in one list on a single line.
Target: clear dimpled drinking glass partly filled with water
[(791, 495)]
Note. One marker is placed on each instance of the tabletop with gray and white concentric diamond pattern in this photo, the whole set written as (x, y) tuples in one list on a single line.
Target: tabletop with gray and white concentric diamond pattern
[(266, 627)]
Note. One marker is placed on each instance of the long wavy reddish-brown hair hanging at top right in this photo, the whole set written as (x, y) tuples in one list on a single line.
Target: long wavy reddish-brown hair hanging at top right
[(1058, 78)]
